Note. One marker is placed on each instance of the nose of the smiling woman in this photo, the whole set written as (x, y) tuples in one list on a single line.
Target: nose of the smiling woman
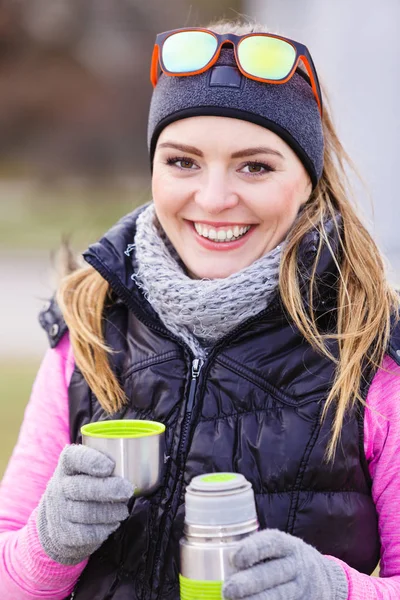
[(215, 195)]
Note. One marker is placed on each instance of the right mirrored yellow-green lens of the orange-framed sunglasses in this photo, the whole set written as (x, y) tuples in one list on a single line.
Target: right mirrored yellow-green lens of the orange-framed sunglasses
[(265, 57)]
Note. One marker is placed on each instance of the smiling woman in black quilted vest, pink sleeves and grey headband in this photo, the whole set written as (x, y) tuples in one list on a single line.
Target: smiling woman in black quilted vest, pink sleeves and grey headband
[(246, 308)]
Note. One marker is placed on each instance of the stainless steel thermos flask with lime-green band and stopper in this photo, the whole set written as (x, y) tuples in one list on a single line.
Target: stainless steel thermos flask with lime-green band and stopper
[(219, 512)]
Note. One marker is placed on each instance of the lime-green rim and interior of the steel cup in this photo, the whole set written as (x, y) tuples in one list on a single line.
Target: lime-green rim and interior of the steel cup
[(114, 429)]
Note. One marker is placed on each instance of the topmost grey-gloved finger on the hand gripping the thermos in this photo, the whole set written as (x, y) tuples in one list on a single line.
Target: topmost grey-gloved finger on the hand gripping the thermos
[(262, 545)]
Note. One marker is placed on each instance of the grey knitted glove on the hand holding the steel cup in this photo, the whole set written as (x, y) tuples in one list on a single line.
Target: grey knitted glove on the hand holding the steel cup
[(82, 505)]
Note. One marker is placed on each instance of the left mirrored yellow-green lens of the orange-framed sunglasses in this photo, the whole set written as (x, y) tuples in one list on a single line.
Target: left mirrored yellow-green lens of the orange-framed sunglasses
[(188, 51)]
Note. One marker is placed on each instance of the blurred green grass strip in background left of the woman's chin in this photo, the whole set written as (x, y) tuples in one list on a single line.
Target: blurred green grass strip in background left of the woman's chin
[(35, 217)]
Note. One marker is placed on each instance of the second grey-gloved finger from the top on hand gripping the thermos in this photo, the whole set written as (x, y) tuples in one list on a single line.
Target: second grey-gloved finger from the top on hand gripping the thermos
[(264, 576)]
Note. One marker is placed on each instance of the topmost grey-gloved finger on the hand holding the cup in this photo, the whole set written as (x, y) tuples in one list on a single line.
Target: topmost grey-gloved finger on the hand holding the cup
[(82, 459)]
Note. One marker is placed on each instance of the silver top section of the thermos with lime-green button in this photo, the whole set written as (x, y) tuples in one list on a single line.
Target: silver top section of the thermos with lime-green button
[(219, 499)]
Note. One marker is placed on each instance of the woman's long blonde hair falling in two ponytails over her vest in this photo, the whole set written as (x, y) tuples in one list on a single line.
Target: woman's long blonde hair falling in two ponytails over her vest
[(366, 302)]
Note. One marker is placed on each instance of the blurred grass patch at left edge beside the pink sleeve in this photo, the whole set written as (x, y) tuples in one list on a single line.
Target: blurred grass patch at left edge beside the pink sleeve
[(16, 381)]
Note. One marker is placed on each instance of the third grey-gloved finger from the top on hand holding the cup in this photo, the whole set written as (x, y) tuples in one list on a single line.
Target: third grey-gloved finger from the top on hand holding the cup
[(93, 513)]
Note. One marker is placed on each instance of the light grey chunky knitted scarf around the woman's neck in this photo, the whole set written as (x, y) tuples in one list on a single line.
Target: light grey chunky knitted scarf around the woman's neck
[(199, 311)]
